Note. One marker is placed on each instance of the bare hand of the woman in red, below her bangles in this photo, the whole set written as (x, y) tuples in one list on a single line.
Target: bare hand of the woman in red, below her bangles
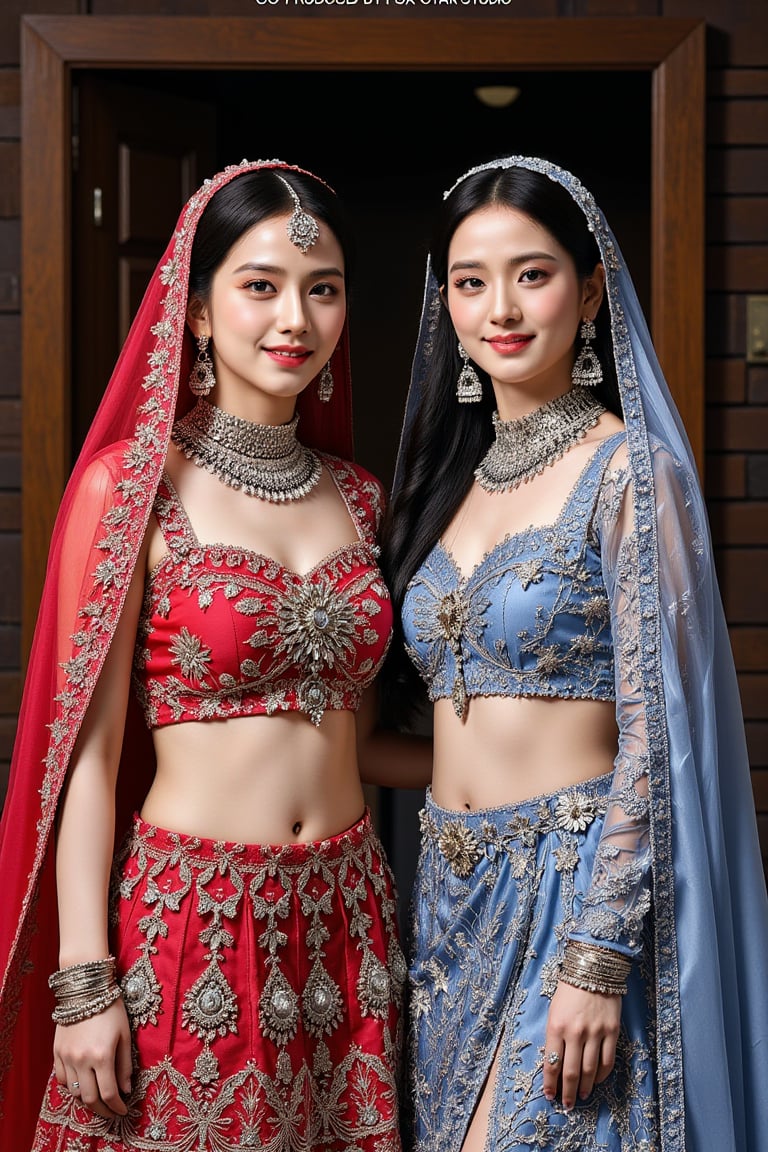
[(93, 1060)]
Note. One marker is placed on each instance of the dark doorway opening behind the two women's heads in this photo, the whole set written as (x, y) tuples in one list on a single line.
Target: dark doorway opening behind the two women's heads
[(421, 131)]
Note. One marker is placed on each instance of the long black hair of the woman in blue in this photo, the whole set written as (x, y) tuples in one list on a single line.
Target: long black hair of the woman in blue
[(447, 441)]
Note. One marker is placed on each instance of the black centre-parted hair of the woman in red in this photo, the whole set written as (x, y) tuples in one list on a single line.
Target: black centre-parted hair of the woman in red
[(248, 201)]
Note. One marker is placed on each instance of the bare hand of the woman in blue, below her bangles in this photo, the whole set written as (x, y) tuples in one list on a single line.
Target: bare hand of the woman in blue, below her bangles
[(582, 1032)]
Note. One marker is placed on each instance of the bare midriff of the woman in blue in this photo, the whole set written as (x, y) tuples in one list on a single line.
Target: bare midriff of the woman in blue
[(512, 749)]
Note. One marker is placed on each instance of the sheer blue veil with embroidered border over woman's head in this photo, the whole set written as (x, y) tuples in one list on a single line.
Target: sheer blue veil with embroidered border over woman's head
[(711, 910)]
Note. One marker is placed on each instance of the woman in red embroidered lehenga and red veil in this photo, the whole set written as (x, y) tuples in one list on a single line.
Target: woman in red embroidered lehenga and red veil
[(232, 976)]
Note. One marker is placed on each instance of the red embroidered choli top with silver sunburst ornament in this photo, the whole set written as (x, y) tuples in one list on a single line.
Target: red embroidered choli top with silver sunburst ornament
[(229, 633)]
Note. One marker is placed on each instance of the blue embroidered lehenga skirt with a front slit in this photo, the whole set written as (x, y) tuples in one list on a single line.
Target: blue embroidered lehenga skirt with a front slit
[(496, 896)]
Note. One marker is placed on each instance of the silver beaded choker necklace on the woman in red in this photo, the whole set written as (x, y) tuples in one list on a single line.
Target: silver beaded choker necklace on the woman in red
[(262, 460)]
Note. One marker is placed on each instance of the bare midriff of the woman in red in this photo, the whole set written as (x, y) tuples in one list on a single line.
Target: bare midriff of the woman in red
[(257, 780)]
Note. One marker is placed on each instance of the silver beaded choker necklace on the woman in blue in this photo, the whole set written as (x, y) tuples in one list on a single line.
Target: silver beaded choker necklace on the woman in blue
[(526, 448)]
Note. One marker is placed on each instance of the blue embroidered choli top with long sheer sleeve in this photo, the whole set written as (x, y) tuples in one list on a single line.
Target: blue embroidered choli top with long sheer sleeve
[(553, 611)]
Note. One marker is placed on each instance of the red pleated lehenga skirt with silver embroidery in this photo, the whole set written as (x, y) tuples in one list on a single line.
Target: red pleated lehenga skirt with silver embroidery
[(264, 987)]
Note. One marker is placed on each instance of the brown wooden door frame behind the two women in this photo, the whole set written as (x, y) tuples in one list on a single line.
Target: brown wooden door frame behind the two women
[(673, 51)]
